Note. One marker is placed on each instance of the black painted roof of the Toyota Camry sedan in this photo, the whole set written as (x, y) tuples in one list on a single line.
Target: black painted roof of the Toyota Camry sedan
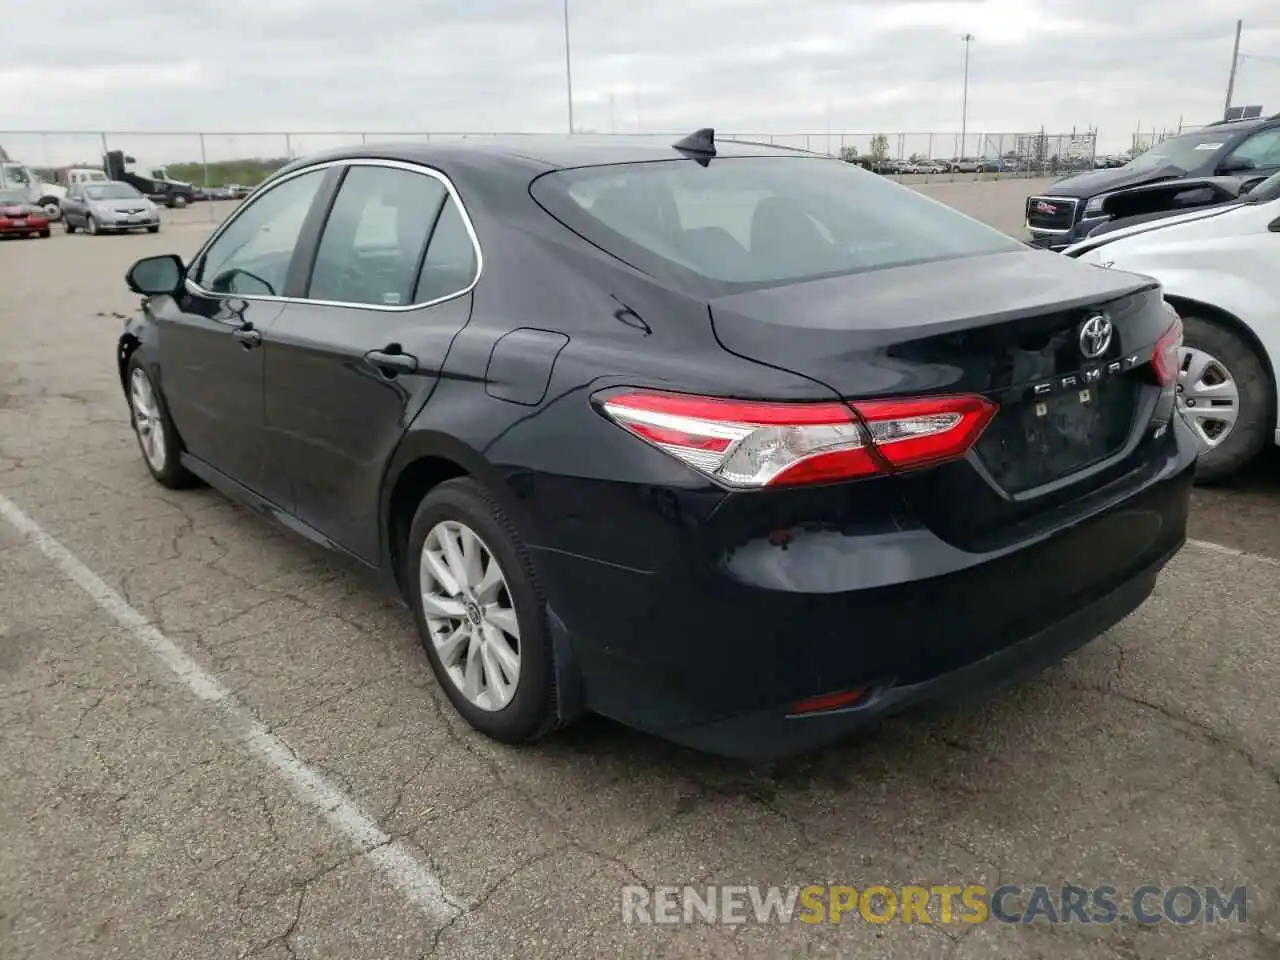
[(547, 152)]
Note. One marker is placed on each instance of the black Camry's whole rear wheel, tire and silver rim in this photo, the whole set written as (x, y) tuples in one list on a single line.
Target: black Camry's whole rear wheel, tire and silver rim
[(481, 614)]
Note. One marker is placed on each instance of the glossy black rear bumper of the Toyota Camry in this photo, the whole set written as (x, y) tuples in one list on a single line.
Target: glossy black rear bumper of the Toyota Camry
[(716, 655)]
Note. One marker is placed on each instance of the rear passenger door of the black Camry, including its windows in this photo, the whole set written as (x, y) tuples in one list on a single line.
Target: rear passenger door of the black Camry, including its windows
[(353, 364)]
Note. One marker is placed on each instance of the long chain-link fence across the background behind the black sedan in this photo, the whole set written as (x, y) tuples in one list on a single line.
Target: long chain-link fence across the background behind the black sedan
[(221, 161)]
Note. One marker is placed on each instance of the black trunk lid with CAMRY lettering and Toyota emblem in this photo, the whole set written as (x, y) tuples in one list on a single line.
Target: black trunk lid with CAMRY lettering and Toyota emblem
[(1007, 327)]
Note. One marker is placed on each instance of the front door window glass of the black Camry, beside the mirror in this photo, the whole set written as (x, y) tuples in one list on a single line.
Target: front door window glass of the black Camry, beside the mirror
[(252, 257)]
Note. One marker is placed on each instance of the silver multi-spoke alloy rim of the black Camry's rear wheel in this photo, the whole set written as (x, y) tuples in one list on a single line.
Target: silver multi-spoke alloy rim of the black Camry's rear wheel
[(470, 615)]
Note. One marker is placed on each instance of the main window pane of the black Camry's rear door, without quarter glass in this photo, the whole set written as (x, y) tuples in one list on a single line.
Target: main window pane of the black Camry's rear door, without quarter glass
[(376, 239)]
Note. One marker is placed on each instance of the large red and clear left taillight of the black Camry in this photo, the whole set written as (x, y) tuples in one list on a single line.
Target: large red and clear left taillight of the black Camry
[(747, 444)]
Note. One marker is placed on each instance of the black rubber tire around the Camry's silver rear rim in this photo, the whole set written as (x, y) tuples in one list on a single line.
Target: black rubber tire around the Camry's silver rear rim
[(529, 712)]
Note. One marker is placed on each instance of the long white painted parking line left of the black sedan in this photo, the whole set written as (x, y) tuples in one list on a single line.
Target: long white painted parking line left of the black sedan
[(396, 861)]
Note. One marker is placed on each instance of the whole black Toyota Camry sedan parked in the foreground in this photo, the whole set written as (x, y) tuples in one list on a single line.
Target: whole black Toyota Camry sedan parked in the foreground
[(740, 446)]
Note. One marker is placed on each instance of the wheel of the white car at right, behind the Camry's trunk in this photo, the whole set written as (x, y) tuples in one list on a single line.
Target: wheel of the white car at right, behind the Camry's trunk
[(1226, 396)]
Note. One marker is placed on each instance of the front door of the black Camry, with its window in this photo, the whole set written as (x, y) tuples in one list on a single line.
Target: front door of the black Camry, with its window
[(212, 335)]
